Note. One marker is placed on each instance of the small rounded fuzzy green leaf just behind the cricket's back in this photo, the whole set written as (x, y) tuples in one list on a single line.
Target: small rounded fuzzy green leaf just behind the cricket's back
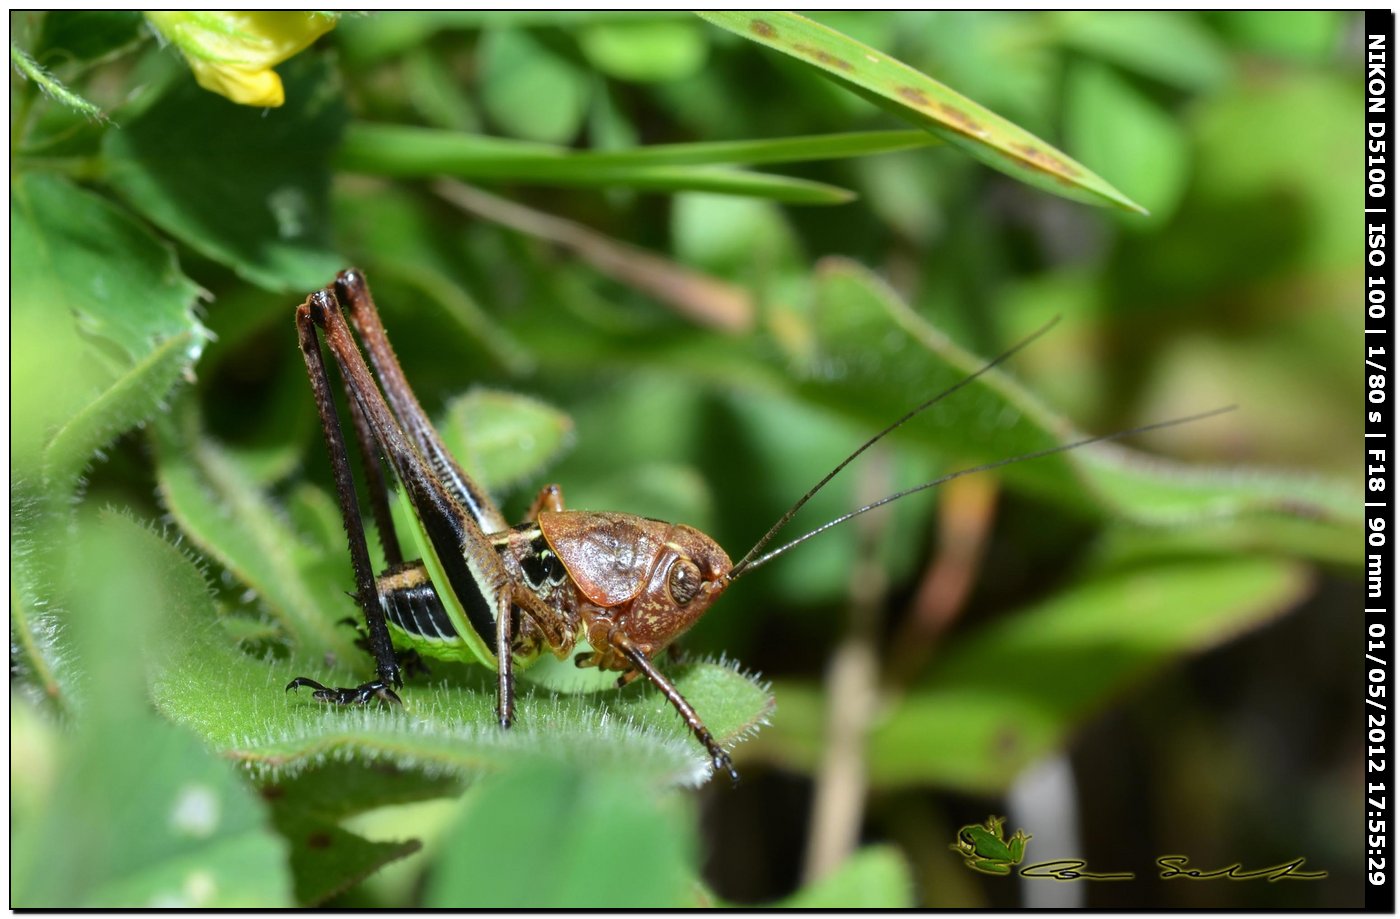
[(505, 439)]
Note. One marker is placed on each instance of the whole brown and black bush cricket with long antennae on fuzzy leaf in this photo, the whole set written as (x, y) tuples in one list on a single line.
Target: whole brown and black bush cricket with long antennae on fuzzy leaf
[(486, 592)]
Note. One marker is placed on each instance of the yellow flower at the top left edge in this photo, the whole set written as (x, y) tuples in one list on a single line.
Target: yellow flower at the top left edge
[(234, 54)]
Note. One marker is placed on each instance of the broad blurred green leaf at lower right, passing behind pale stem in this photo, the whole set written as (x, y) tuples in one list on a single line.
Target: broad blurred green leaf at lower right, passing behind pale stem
[(1016, 691)]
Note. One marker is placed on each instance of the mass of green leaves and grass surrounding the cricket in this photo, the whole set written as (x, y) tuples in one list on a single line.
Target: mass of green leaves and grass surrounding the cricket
[(692, 289)]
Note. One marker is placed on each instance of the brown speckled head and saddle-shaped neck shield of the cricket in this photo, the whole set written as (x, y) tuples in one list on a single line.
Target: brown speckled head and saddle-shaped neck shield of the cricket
[(657, 578)]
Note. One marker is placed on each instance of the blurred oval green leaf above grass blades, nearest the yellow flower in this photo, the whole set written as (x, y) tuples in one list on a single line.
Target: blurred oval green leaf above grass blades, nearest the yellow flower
[(528, 90)]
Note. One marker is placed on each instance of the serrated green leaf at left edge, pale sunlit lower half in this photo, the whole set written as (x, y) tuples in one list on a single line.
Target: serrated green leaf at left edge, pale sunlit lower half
[(107, 323)]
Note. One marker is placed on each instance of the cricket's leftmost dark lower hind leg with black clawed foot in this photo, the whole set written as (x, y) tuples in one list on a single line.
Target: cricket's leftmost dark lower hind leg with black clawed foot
[(367, 593)]
